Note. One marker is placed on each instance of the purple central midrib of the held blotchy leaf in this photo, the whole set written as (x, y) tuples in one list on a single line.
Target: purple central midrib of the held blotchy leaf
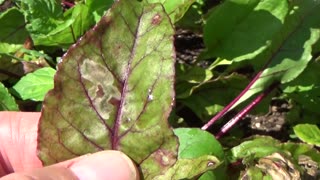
[(114, 135)]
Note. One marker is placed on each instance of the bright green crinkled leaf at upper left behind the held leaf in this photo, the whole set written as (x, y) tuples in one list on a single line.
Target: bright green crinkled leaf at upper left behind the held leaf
[(50, 26)]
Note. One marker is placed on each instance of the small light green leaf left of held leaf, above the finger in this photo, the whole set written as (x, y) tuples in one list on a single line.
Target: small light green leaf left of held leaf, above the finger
[(35, 85)]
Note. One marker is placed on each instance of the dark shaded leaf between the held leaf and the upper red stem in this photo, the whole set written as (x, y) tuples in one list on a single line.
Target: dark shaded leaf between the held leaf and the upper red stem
[(211, 96)]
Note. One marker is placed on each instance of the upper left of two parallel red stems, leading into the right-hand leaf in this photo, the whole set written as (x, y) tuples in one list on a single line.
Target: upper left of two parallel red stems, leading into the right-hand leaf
[(235, 100)]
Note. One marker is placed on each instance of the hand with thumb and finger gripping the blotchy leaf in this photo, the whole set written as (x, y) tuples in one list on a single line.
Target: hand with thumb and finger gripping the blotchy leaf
[(18, 159)]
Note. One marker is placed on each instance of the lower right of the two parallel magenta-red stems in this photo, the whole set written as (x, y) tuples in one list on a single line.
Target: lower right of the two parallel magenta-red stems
[(244, 111)]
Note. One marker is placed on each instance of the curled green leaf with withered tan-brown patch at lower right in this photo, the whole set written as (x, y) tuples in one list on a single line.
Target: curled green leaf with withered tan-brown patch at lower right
[(272, 158)]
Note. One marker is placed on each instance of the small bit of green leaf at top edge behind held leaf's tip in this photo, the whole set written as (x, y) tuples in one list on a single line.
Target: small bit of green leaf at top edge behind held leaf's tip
[(176, 9)]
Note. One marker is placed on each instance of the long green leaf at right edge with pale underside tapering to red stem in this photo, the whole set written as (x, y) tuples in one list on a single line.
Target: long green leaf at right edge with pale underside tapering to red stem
[(294, 50)]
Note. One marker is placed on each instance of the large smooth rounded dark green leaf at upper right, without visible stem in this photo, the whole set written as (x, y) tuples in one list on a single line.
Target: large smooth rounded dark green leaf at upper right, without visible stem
[(247, 32)]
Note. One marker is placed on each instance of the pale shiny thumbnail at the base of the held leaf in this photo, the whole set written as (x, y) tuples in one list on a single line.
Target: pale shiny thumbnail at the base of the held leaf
[(105, 165)]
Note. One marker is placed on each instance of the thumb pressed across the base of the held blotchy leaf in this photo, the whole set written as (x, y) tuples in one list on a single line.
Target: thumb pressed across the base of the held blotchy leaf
[(102, 165)]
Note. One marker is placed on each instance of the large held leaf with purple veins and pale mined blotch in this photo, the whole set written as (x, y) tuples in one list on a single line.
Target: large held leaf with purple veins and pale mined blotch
[(115, 93)]
